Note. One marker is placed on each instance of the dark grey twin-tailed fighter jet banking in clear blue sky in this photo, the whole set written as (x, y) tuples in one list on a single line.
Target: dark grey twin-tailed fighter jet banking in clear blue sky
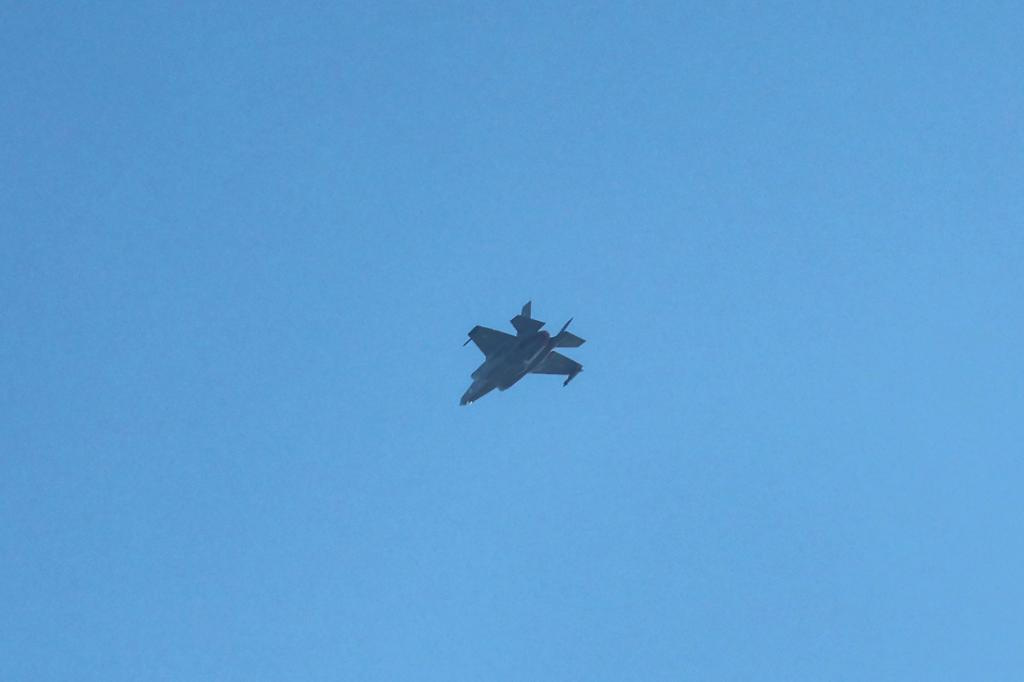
[(509, 359)]
